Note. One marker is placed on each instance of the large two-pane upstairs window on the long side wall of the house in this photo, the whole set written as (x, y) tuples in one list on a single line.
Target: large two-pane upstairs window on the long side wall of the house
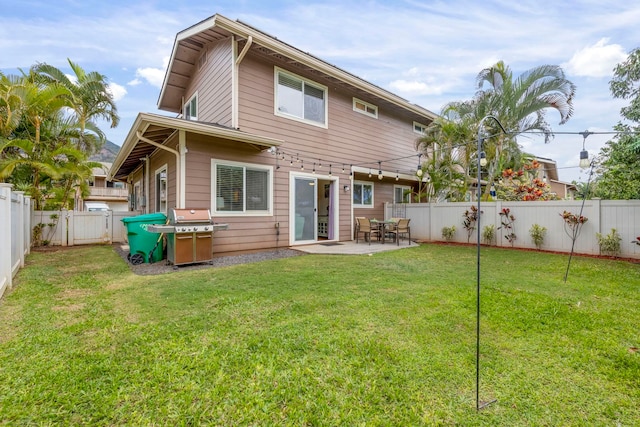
[(300, 99)]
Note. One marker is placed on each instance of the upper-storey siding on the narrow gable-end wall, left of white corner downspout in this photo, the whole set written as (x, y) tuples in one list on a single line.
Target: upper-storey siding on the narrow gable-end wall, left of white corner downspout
[(214, 85)]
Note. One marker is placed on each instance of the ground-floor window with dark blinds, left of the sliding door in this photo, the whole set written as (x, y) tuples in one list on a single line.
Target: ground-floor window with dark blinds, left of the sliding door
[(242, 188)]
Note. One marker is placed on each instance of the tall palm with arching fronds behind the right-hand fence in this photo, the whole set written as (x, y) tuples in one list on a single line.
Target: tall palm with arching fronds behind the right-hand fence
[(519, 105)]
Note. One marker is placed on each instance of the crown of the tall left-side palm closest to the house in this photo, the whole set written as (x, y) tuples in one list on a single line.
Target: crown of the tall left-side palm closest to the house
[(89, 99)]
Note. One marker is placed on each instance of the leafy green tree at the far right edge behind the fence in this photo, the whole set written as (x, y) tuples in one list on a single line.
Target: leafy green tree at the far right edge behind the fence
[(619, 167)]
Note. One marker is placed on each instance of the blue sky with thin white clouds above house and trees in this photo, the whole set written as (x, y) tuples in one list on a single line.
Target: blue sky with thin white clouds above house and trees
[(428, 52)]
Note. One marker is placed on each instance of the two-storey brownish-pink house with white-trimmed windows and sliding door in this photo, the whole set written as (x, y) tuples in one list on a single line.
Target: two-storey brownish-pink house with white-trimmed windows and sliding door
[(284, 147)]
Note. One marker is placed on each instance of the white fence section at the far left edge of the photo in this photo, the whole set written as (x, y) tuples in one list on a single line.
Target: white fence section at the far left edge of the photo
[(15, 235)]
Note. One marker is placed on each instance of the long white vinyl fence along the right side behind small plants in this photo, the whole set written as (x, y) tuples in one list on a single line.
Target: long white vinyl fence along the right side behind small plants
[(428, 219)]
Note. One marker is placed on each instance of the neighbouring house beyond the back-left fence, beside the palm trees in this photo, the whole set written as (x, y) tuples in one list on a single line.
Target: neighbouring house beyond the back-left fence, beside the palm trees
[(103, 194)]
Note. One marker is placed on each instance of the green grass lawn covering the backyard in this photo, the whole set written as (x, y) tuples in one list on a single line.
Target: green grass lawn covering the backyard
[(385, 340)]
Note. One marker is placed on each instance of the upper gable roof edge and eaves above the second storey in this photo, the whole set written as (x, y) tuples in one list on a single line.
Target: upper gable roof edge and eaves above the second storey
[(190, 42)]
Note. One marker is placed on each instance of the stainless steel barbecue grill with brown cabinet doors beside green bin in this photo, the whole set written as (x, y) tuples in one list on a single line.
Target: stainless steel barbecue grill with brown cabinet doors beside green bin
[(189, 236)]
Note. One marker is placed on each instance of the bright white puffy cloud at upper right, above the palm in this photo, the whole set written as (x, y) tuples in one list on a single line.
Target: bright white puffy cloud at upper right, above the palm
[(597, 60)]
